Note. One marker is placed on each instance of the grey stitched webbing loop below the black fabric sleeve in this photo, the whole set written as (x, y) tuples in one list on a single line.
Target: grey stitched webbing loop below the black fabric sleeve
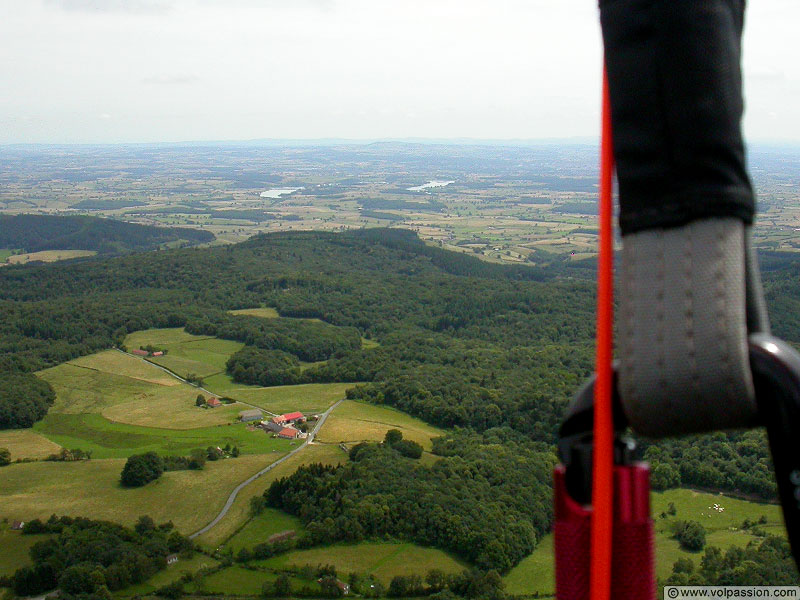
[(684, 364)]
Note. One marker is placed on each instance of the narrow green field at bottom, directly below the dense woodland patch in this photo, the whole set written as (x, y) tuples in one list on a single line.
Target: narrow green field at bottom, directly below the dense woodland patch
[(383, 560)]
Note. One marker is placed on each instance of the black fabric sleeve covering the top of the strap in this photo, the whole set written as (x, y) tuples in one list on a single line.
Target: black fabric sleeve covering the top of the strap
[(676, 100)]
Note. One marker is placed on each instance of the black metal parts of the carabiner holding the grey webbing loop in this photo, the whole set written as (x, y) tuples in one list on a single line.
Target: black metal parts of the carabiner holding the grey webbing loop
[(775, 366)]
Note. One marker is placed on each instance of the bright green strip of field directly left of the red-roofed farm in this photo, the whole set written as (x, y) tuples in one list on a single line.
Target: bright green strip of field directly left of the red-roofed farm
[(118, 440)]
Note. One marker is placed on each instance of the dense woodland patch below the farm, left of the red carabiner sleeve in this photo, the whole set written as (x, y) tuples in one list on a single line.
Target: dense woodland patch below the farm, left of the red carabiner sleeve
[(486, 499)]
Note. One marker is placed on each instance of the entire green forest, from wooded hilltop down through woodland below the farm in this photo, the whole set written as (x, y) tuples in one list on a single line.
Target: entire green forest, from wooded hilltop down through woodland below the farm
[(493, 350)]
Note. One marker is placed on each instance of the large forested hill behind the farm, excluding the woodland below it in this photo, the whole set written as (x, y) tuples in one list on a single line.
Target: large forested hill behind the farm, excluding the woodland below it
[(463, 343)]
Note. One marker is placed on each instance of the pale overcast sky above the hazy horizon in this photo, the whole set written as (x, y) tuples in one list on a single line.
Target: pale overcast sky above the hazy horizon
[(174, 70)]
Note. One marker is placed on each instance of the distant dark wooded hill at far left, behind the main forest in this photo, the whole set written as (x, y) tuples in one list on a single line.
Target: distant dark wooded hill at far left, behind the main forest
[(33, 233)]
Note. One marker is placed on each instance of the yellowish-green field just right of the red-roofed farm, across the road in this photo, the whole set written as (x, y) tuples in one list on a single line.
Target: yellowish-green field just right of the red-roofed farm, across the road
[(357, 421)]
